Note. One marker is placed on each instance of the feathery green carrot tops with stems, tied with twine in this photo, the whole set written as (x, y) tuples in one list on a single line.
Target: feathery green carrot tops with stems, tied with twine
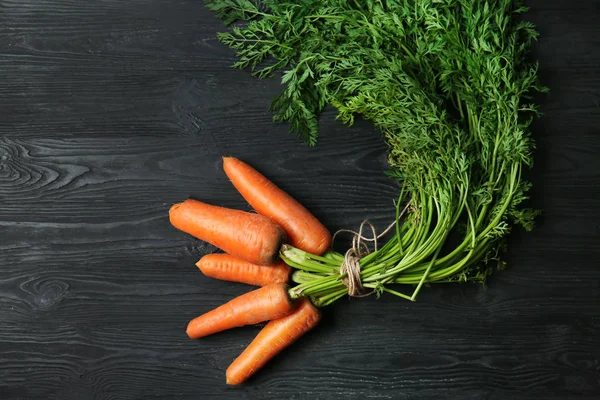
[(448, 83)]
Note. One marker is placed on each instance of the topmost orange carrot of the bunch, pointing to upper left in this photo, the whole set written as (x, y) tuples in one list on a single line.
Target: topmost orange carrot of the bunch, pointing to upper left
[(303, 229)]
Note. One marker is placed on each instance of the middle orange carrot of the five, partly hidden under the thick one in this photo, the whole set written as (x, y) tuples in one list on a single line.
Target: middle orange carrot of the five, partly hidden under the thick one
[(229, 268)]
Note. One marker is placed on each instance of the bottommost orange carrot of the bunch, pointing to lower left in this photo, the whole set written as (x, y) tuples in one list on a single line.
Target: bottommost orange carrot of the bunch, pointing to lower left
[(272, 339)]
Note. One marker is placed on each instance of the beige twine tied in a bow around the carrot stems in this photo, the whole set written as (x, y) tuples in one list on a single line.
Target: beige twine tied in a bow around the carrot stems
[(350, 268)]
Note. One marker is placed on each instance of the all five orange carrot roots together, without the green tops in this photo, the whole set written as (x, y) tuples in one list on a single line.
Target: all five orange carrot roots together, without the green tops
[(251, 243)]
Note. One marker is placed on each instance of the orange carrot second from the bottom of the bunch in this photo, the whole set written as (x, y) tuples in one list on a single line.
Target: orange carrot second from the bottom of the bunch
[(264, 304)]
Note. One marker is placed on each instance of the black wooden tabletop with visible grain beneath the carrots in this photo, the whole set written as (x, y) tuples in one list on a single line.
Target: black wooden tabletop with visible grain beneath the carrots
[(110, 111)]
